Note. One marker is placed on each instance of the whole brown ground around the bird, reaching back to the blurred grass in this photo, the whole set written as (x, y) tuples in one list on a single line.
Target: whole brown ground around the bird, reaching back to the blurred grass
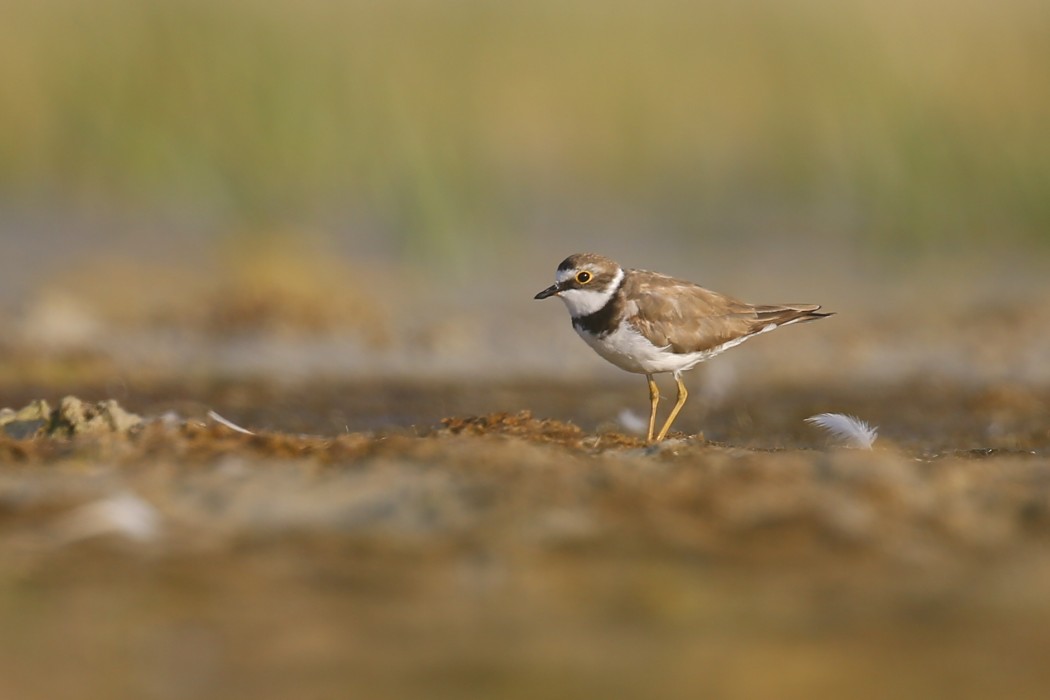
[(446, 500)]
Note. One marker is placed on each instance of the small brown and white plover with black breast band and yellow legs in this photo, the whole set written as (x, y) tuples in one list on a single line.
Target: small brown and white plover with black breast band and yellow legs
[(649, 324)]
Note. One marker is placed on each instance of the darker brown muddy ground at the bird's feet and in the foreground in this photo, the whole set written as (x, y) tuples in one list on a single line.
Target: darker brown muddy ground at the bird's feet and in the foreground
[(388, 540)]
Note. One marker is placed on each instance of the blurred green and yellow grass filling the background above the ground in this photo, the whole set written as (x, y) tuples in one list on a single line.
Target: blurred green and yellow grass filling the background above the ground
[(906, 124)]
